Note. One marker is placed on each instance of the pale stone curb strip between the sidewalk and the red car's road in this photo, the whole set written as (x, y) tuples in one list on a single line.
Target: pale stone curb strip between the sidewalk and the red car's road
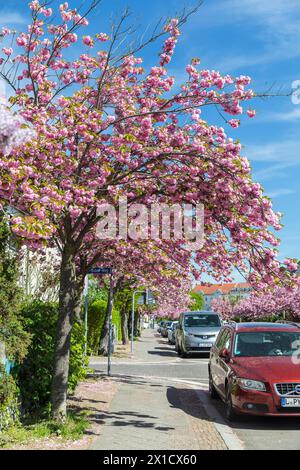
[(227, 434)]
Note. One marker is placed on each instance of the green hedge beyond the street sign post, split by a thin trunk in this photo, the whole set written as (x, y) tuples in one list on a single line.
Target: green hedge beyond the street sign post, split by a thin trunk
[(96, 316)]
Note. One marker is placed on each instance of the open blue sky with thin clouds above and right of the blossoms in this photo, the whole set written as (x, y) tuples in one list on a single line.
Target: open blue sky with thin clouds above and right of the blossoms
[(260, 38)]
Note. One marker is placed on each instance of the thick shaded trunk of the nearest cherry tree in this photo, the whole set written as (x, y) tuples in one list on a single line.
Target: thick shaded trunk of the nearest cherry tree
[(68, 299)]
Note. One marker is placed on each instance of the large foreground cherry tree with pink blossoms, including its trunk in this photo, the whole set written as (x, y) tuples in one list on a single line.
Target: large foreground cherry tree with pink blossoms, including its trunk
[(106, 128)]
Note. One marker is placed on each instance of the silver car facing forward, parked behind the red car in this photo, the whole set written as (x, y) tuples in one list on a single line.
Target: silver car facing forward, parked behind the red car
[(196, 332)]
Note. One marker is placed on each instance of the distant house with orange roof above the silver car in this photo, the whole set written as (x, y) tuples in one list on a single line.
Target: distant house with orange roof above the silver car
[(234, 291)]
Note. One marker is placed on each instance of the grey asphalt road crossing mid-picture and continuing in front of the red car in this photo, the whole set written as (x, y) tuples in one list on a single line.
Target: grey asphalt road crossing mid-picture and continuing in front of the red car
[(155, 358)]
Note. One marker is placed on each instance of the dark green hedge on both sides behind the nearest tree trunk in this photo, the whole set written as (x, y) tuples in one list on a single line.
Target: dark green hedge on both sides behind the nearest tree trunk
[(34, 375)]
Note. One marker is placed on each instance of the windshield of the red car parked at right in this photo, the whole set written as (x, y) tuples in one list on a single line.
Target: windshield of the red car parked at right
[(269, 343)]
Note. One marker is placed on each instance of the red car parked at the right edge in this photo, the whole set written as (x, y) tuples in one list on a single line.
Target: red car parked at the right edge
[(255, 369)]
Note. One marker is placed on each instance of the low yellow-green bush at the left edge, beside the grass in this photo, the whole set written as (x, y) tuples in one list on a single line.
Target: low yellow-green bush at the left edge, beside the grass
[(9, 404)]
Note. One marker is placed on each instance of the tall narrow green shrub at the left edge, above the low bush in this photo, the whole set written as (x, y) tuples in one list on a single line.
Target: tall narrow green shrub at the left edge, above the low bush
[(11, 328)]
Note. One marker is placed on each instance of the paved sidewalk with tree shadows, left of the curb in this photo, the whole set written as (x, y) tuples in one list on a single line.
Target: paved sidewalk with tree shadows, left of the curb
[(149, 414)]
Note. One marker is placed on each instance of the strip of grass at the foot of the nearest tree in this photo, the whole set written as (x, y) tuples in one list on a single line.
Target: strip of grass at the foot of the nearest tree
[(73, 428)]
